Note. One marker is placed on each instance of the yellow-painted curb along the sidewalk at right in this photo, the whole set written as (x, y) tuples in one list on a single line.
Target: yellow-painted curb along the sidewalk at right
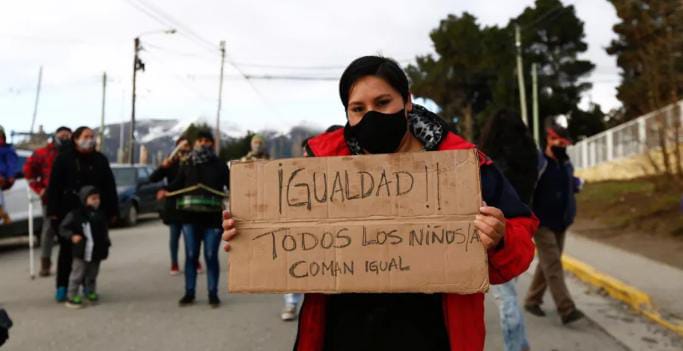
[(638, 300)]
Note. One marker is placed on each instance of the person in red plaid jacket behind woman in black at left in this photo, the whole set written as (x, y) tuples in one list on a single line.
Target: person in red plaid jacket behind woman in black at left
[(37, 170)]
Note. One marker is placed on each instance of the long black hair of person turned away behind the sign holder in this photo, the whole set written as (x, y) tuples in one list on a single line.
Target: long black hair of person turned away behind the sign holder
[(507, 141)]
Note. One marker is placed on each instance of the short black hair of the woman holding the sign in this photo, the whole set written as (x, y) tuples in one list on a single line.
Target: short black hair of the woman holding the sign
[(382, 67)]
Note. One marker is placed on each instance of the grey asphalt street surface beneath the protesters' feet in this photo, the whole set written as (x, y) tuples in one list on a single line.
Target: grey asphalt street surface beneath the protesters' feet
[(138, 310)]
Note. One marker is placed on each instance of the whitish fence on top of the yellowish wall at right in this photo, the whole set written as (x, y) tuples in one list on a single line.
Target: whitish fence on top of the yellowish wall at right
[(631, 138)]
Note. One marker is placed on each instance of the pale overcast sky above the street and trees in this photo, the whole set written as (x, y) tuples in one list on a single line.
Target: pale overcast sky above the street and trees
[(77, 40)]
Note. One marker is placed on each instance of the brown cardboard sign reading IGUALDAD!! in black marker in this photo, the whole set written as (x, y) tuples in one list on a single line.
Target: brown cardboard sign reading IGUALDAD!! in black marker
[(378, 223)]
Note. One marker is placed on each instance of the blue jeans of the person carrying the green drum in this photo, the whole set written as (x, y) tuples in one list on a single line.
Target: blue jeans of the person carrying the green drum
[(194, 234)]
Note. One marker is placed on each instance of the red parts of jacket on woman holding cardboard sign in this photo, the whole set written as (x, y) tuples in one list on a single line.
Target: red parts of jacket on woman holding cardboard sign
[(463, 314)]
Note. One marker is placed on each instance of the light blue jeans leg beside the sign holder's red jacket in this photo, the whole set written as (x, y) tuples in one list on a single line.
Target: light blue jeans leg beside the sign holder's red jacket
[(511, 318)]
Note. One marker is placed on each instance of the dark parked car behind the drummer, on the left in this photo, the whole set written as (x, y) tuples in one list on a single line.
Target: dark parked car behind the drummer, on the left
[(137, 195)]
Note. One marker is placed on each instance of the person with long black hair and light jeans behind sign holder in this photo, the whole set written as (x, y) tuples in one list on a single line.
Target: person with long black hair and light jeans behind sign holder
[(506, 140)]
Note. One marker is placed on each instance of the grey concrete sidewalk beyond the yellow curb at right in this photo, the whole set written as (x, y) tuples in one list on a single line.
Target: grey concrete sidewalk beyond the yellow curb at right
[(662, 282)]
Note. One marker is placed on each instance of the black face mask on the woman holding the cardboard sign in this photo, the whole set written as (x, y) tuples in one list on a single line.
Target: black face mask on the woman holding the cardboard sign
[(380, 133)]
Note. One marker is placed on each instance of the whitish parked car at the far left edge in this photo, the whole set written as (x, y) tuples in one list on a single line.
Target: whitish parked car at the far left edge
[(16, 204)]
